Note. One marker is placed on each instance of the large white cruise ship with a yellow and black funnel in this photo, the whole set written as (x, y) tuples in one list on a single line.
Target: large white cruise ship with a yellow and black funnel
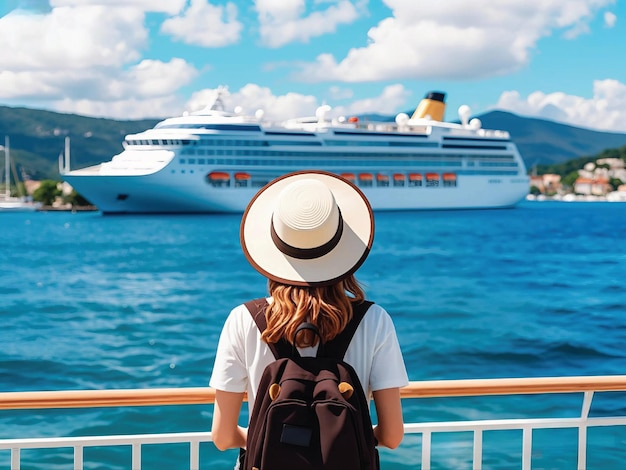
[(214, 161)]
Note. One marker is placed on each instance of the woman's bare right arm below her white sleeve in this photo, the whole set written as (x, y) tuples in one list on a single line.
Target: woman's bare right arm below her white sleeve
[(390, 428)]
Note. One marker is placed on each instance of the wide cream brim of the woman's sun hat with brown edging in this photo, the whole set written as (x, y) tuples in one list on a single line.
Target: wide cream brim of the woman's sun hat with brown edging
[(342, 261)]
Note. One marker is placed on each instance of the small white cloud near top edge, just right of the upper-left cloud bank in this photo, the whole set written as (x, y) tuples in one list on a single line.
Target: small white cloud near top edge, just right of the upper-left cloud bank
[(204, 24)]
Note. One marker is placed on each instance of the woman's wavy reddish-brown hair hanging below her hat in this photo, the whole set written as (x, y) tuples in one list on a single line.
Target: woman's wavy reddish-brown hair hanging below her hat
[(329, 308)]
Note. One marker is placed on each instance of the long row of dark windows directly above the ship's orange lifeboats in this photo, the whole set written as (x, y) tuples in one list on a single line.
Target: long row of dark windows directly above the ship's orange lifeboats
[(313, 163)]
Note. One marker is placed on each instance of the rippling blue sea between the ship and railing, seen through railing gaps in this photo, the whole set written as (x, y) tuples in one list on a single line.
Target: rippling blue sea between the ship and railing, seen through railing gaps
[(100, 302)]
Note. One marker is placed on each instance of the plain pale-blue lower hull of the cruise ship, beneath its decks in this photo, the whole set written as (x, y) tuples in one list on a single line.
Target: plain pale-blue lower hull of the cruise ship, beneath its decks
[(163, 192)]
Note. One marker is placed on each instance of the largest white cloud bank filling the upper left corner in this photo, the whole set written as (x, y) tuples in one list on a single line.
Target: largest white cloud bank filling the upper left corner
[(84, 57)]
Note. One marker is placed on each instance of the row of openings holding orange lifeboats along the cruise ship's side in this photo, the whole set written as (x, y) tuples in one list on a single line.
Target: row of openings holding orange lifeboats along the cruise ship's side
[(223, 179)]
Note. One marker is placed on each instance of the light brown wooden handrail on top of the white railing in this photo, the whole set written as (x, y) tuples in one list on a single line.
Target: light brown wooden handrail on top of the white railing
[(206, 395)]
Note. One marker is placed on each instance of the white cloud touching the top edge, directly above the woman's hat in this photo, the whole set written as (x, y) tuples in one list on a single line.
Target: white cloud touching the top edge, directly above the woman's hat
[(286, 21)]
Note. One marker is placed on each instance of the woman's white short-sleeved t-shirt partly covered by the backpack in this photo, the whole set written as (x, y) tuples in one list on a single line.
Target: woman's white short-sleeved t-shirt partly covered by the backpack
[(242, 355)]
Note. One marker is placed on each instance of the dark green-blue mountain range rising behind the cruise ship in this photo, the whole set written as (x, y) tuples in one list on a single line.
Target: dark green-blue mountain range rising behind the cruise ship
[(37, 138)]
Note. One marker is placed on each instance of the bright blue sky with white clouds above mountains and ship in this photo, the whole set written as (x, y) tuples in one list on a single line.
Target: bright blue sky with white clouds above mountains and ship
[(127, 59)]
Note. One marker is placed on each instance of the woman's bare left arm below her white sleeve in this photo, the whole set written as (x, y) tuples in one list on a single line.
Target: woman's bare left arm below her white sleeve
[(225, 431)]
